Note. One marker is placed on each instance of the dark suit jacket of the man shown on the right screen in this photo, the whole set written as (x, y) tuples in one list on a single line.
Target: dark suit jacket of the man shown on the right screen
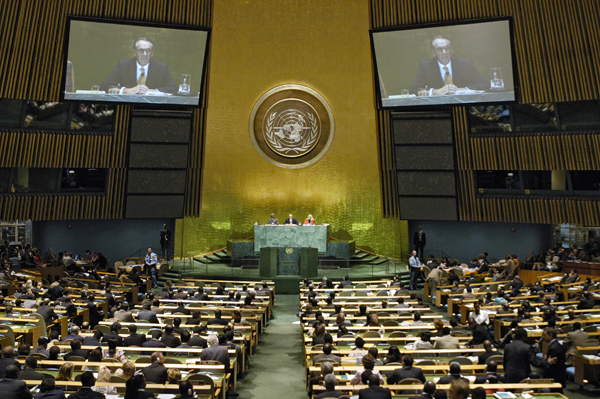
[(464, 74)]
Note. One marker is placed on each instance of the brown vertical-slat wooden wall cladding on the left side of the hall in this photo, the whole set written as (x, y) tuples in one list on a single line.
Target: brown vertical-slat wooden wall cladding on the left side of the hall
[(31, 66)]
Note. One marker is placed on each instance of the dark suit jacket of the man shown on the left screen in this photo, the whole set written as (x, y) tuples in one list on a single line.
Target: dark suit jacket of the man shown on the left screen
[(159, 76)]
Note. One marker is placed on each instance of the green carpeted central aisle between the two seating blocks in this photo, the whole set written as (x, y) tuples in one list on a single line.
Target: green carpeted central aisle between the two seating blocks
[(277, 368)]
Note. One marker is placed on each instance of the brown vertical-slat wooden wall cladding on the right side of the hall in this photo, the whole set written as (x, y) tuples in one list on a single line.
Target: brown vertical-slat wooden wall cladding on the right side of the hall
[(553, 39)]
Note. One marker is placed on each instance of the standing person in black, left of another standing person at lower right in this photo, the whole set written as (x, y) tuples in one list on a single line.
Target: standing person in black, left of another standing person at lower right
[(518, 356)]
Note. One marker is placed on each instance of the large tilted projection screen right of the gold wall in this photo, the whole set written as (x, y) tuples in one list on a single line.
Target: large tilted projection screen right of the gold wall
[(409, 64)]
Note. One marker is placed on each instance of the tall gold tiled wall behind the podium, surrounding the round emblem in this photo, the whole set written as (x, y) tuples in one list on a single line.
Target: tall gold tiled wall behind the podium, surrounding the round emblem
[(260, 44)]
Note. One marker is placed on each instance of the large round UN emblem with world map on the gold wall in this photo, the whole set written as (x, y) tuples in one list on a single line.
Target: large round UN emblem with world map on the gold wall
[(291, 126)]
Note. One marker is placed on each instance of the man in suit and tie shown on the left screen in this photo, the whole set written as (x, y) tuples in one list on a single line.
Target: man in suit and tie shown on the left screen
[(141, 74)]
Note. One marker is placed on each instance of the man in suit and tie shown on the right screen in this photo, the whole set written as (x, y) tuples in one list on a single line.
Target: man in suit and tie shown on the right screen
[(444, 74)]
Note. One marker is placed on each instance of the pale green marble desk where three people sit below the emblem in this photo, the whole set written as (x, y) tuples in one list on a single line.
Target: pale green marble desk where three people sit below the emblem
[(290, 236)]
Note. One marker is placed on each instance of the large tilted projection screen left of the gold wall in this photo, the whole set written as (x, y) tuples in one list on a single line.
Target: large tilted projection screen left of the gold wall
[(102, 64)]
